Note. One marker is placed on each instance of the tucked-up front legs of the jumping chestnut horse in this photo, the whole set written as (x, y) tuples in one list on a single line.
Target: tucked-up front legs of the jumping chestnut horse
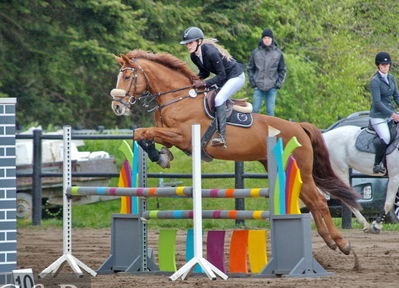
[(145, 137)]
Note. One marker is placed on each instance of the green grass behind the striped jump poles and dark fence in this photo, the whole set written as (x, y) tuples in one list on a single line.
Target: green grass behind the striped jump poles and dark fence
[(98, 215)]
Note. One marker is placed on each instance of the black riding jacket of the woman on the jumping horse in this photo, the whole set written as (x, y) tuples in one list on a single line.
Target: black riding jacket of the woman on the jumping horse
[(214, 62)]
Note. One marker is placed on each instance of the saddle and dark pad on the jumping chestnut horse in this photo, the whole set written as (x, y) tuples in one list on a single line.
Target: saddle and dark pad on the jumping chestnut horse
[(238, 111)]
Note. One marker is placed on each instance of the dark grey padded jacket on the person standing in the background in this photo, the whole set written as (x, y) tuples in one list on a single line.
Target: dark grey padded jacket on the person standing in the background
[(266, 68)]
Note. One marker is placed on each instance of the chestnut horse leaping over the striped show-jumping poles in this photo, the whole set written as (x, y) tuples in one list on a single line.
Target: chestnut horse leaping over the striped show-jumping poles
[(165, 81)]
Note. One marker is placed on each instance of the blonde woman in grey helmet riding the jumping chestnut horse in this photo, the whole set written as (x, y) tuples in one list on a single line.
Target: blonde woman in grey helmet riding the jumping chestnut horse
[(229, 74)]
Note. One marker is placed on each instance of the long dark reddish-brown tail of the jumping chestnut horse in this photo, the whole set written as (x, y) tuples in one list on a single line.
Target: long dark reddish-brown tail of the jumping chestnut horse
[(323, 174)]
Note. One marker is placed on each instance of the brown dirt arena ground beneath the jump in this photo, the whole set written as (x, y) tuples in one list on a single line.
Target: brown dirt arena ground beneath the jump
[(378, 256)]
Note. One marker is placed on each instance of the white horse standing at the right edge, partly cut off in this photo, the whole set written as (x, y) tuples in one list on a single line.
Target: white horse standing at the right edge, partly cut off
[(348, 150)]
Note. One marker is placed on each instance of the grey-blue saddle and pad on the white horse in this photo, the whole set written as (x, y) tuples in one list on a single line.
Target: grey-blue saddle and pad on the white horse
[(367, 137)]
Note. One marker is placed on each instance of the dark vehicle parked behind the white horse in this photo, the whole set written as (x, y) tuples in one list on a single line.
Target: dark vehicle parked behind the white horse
[(371, 188)]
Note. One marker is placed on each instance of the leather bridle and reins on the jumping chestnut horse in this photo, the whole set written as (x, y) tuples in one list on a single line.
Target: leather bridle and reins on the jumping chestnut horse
[(146, 97)]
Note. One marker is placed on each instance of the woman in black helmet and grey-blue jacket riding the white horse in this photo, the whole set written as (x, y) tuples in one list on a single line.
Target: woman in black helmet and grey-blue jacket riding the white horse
[(383, 89)]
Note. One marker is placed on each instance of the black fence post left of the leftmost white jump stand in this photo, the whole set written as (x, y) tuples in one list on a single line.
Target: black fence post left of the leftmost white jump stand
[(37, 179)]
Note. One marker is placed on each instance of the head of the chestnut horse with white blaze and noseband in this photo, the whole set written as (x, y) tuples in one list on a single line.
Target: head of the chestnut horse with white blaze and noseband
[(132, 82)]
